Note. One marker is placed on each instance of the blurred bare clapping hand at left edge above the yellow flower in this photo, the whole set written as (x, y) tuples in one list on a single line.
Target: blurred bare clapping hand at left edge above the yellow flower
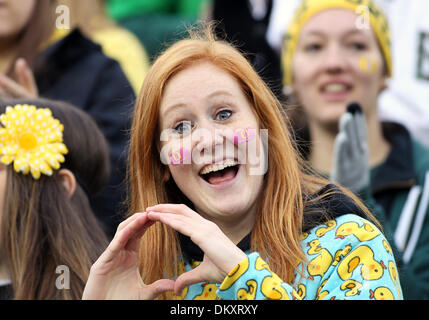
[(24, 87)]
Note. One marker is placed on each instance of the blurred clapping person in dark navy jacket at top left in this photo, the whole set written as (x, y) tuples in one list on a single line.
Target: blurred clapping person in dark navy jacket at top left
[(43, 55)]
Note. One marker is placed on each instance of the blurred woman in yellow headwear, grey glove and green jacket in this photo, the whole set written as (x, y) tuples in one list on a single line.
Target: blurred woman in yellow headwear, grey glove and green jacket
[(330, 68)]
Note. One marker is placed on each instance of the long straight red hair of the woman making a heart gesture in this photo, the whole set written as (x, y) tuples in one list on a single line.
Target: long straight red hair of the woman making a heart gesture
[(281, 209)]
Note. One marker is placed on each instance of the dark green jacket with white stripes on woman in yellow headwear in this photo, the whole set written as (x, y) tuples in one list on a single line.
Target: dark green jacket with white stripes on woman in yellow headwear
[(400, 187)]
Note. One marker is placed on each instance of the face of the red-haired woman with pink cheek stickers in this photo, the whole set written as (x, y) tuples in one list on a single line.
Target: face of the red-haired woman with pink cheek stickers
[(211, 141)]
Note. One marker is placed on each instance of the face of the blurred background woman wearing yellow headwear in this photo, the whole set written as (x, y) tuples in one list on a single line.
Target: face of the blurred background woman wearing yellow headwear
[(336, 63)]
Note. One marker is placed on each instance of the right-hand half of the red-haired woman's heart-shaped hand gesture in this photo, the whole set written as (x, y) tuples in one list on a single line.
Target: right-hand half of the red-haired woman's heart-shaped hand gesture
[(221, 255)]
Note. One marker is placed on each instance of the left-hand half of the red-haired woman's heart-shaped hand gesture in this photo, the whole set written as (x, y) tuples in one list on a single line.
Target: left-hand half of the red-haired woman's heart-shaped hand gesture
[(115, 275)]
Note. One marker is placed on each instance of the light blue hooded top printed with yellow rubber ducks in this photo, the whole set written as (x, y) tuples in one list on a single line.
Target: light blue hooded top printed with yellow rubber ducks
[(347, 257)]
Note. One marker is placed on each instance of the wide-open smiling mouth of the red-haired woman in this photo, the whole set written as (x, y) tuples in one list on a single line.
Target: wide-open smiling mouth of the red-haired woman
[(220, 172)]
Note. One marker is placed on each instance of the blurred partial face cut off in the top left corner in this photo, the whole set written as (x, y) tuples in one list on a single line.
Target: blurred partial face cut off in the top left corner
[(14, 15)]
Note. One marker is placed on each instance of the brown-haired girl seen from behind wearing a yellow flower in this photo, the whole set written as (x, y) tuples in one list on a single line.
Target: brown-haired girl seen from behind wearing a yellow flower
[(48, 172)]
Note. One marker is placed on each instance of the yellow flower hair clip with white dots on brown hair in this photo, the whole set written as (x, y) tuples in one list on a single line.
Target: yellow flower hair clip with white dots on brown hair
[(32, 139)]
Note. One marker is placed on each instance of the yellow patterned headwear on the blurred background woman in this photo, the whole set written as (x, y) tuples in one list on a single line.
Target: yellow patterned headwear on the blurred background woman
[(309, 8)]
